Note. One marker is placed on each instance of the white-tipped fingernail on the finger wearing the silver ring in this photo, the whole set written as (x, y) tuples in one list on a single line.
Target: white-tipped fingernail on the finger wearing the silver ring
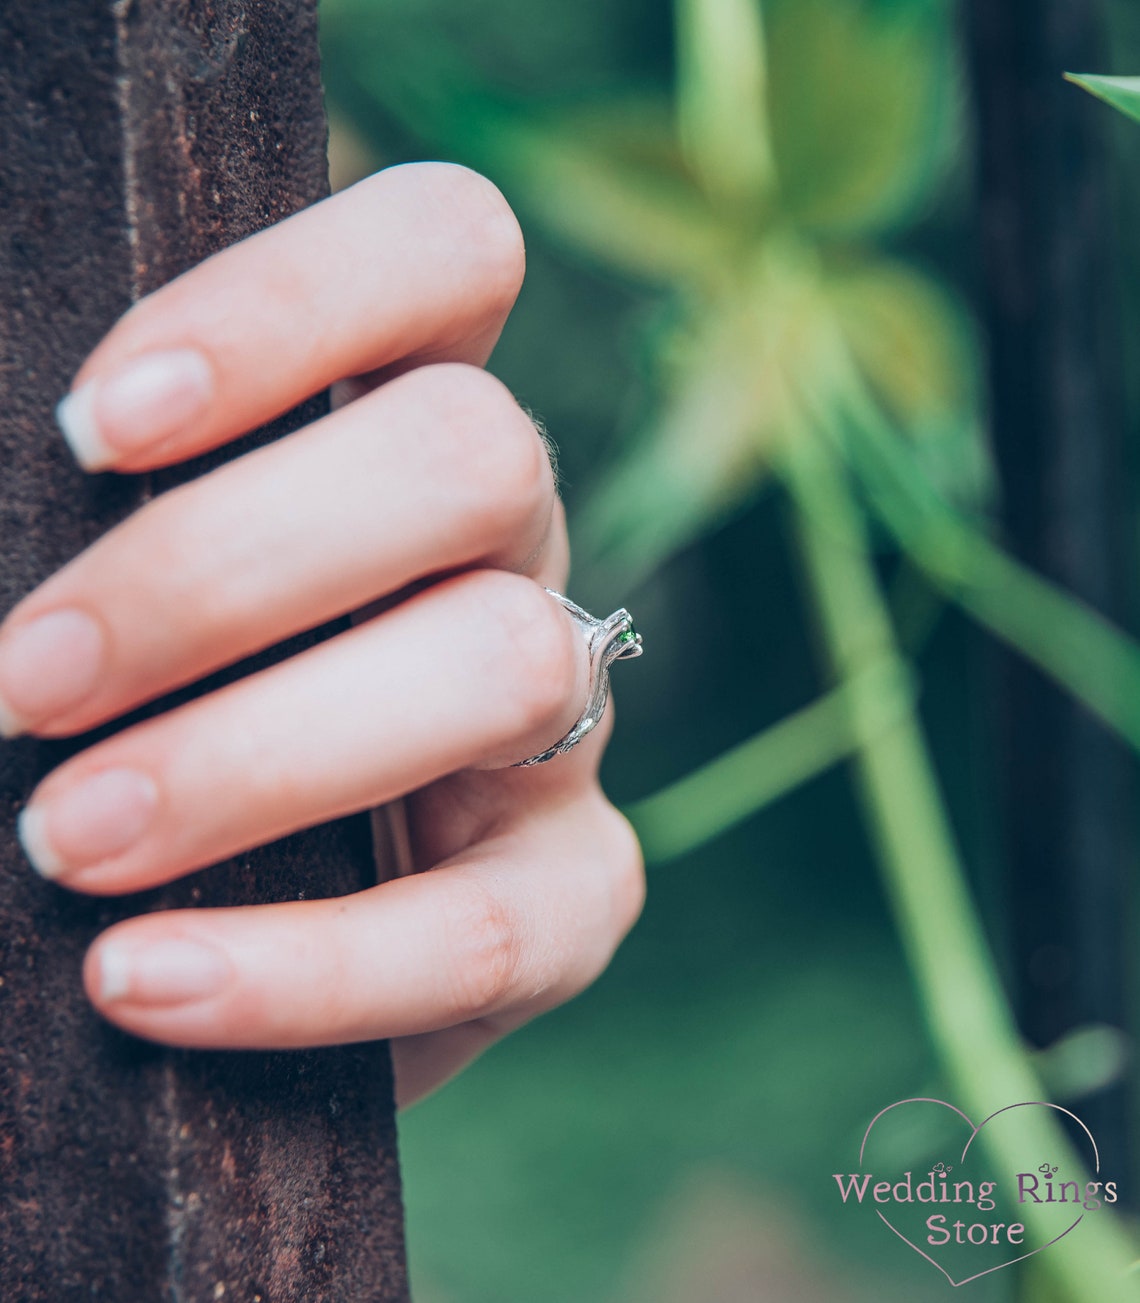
[(89, 823)]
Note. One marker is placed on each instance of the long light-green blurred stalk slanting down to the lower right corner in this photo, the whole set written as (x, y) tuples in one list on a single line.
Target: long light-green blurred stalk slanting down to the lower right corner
[(958, 984)]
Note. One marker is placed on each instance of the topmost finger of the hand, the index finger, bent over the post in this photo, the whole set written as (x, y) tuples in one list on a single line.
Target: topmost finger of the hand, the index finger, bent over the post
[(420, 263)]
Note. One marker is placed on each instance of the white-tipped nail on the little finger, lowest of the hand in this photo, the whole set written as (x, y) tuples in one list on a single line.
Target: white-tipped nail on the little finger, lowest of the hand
[(164, 973)]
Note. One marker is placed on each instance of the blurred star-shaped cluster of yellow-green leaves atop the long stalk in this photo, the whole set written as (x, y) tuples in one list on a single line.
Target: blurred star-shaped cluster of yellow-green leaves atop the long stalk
[(861, 109)]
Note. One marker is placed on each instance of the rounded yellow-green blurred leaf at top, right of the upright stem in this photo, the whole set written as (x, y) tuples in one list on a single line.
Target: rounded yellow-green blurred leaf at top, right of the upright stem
[(863, 111)]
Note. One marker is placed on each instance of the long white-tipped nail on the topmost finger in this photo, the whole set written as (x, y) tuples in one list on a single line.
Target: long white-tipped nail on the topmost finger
[(141, 405)]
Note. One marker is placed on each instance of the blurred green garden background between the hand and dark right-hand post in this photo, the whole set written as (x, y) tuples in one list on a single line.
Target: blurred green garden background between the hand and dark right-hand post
[(747, 325)]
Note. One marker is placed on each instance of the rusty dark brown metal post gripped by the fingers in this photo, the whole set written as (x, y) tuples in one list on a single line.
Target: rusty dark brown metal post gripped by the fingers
[(135, 140)]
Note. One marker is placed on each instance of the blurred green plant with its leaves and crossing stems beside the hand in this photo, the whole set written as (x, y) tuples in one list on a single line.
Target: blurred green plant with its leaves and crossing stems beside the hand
[(764, 197)]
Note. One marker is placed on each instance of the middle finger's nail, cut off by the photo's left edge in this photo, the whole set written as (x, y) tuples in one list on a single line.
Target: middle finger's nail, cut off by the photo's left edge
[(46, 668)]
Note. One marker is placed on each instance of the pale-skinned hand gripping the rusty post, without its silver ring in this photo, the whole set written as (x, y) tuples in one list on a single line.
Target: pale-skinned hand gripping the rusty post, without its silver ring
[(527, 879)]
